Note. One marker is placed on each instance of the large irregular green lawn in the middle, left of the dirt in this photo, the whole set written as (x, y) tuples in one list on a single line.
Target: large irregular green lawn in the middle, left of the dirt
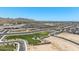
[(30, 37)]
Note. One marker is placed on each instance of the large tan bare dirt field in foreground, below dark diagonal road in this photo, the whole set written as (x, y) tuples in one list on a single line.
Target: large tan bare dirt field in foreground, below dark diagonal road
[(57, 44)]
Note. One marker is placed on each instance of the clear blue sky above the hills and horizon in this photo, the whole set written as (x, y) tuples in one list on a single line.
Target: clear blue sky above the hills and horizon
[(42, 13)]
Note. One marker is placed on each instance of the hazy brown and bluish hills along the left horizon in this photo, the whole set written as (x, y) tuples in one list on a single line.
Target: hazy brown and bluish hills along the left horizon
[(15, 20)]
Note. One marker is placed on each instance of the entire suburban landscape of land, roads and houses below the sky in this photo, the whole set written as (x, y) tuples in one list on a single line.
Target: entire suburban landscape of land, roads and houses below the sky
[(28, 35)]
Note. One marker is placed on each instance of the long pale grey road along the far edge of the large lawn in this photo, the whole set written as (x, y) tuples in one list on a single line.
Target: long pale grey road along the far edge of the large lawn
[(27, 33)]
